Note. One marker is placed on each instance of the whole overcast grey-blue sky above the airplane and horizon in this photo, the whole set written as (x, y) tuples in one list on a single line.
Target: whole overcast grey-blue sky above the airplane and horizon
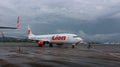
[(97, 20)]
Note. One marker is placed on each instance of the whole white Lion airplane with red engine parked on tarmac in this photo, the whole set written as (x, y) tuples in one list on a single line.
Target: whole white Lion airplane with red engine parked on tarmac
[(58, 39)]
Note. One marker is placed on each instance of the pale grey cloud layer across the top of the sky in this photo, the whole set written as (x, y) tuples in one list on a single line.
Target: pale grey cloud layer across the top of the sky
[(76, 9)]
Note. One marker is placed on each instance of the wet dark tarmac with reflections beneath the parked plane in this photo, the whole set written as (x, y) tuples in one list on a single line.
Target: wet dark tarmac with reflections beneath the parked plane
[(29, 55)]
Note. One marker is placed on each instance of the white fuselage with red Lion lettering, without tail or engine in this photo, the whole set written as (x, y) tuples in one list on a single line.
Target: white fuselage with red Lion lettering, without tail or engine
[(57, 38)]
